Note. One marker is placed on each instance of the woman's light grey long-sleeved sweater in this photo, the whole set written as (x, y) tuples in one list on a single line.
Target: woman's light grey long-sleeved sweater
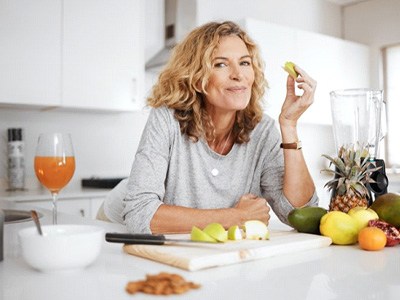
[(169, 168)]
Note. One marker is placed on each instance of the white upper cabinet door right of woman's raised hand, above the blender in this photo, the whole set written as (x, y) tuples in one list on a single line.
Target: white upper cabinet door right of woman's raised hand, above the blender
[(335, 64)]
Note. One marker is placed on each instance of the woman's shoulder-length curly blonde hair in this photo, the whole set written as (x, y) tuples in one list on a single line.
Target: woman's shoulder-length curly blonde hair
[(182, 83)]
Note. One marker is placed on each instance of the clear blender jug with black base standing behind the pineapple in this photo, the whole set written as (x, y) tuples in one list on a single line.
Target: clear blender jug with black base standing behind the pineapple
[(357, 120)]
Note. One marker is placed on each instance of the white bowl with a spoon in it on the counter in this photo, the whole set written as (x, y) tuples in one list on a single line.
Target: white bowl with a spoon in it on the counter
[(62, 247)]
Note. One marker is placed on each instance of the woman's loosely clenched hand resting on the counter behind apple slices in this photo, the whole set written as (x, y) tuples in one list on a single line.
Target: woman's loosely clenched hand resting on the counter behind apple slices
[(251, 207)]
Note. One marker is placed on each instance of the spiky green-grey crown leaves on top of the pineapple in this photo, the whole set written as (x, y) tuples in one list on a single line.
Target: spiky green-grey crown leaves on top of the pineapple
[(352, 172)]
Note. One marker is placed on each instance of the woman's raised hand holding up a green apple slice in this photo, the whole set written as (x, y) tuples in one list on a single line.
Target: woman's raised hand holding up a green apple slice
[(294, 106)]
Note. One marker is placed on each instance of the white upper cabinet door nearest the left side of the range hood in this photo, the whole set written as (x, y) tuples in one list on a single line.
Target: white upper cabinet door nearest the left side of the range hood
[(103, 56)]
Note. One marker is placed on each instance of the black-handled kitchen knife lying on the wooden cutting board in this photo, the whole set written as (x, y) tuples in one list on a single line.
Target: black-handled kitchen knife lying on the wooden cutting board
[(146, 239)]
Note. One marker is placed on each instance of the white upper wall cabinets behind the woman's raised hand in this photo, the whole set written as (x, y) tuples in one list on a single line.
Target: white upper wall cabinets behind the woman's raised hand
[(334, 63)]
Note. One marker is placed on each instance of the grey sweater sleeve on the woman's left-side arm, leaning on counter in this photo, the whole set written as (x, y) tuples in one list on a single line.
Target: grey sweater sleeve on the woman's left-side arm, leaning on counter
[(145, 189)]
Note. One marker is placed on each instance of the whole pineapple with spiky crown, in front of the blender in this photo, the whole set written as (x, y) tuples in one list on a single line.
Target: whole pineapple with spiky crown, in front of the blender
[(352, 173)]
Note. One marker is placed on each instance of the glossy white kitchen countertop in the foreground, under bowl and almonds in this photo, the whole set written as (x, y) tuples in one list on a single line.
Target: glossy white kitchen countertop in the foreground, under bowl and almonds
[(334, 272)]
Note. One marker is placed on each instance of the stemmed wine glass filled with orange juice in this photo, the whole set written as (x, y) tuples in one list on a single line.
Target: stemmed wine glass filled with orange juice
[(54, 163)]
